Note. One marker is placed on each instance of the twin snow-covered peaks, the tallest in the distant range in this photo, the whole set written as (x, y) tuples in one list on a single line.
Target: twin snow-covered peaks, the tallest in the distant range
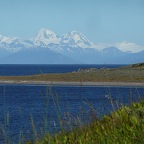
[(48, 37)]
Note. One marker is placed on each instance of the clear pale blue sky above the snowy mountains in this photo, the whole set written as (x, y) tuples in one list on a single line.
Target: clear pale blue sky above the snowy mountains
[(102, 21)]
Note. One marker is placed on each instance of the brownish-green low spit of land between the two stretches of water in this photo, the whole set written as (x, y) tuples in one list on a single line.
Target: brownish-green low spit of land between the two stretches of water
[(131, 73)]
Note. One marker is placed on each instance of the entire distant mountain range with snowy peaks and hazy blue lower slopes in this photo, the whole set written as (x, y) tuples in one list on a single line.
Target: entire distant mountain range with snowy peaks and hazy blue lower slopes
[(46, 47)]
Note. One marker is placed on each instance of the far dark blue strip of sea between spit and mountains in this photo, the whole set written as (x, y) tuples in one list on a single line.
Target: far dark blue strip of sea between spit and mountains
[(17, 70)]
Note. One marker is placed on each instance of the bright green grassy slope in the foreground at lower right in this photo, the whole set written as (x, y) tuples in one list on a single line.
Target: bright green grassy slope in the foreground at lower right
[(125, 126)]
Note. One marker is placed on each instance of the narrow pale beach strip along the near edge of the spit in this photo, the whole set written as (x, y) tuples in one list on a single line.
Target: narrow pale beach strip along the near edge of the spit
[(64, 83)]
